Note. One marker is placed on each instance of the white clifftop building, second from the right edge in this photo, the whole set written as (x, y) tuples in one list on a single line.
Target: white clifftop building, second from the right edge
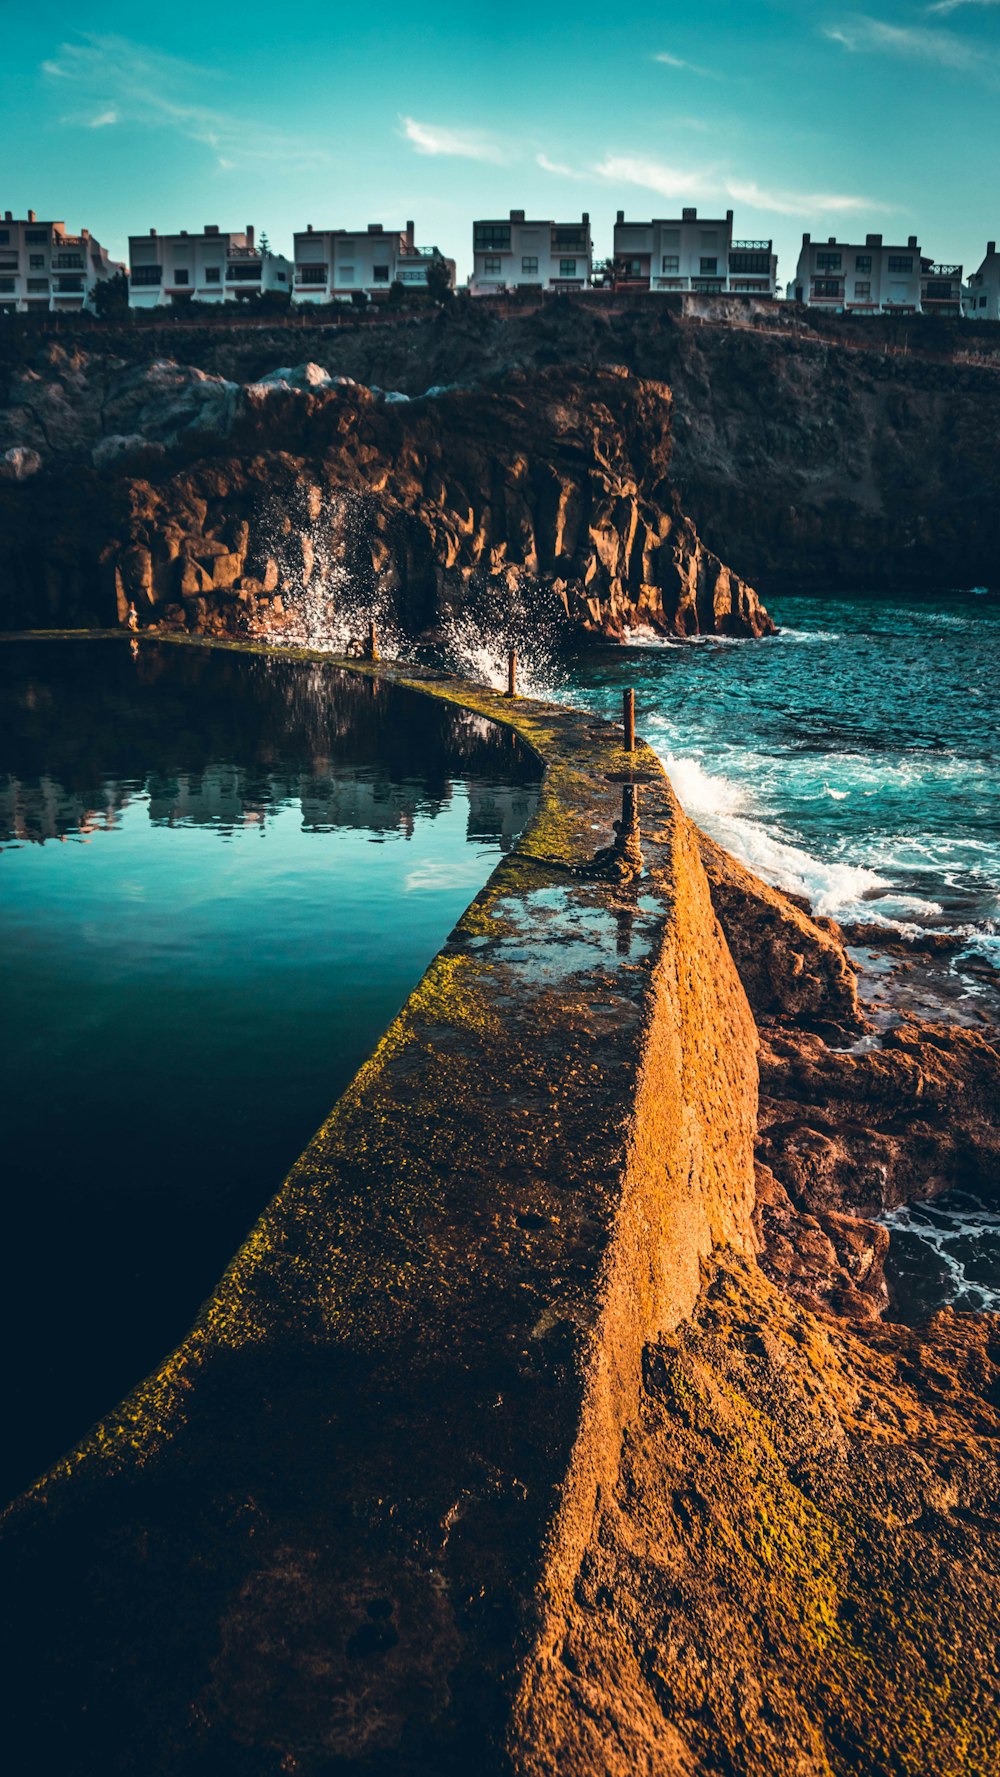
[(862, 280)]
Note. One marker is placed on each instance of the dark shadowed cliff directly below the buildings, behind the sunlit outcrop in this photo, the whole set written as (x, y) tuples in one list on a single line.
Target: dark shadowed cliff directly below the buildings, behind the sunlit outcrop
[(855, 454)]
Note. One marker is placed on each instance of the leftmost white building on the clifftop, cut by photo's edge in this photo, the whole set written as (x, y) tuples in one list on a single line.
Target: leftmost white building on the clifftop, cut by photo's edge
[(44, 267)]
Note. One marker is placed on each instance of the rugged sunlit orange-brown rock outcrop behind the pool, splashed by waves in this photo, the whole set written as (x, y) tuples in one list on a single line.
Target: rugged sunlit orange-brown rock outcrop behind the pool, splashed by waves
[(225, 507)]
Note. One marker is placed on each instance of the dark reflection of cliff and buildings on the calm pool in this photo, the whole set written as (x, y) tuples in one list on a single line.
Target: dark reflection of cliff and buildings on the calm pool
[(306, 737)]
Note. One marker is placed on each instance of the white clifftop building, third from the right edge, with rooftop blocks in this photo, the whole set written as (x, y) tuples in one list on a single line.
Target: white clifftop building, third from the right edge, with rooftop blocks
[(692, 253)]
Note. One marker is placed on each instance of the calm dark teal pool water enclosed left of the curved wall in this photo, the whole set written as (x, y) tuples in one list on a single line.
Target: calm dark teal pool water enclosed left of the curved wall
[(219, 881)]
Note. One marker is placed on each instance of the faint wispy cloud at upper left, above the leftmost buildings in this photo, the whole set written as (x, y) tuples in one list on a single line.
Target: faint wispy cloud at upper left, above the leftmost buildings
[(122, 83)]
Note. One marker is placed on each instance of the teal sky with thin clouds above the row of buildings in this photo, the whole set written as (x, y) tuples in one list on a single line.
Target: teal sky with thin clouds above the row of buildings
[(797, 115)]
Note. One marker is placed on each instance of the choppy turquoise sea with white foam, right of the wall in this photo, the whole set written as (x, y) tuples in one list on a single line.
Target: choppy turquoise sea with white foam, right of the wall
[(855, 760)]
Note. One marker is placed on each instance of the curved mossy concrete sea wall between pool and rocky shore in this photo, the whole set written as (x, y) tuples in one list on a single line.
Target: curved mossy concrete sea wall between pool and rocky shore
[(342, 1526)]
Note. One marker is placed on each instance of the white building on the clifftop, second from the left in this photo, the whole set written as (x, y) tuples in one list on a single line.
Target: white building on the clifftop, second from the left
[(209, 267)]
